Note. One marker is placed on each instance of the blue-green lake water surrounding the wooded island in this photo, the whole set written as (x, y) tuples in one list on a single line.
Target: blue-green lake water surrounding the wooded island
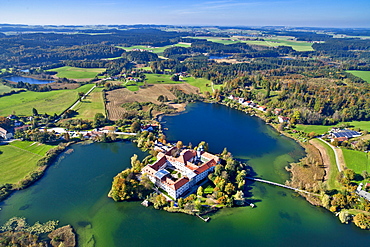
[(74, 191)]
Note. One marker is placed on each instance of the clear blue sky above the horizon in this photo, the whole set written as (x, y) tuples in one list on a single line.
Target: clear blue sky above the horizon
[(312, 13)]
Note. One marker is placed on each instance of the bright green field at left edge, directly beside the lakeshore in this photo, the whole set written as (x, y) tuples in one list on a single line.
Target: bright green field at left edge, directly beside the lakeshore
[(18, 159)]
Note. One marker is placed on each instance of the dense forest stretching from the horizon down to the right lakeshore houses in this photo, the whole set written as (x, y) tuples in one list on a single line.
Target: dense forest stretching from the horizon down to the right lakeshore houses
[(312, 86)]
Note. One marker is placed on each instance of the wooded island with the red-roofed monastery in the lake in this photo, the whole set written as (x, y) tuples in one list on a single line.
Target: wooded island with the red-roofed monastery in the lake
[(182, 179)]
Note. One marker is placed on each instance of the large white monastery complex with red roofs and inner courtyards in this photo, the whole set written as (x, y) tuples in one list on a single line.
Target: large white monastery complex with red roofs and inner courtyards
[(178, 174)]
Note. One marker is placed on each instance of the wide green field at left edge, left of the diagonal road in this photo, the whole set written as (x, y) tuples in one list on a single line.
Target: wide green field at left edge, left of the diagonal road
[(45, 102)]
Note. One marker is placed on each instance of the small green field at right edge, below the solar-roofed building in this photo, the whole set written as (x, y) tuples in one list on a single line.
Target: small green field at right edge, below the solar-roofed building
[(356, 160)]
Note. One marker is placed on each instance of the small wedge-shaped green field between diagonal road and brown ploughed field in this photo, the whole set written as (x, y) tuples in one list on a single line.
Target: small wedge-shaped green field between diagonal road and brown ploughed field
[(91, 105)]
